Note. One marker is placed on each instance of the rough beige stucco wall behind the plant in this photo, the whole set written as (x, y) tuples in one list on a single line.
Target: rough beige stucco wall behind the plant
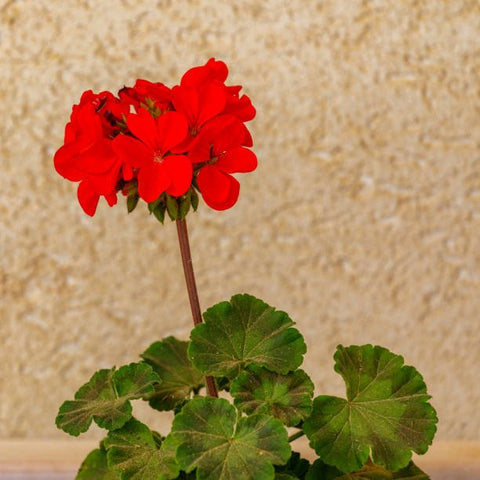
[(362, 220)]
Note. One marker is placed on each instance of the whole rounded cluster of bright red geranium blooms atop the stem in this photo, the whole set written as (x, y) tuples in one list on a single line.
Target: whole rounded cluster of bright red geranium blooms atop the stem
[(155, 140)]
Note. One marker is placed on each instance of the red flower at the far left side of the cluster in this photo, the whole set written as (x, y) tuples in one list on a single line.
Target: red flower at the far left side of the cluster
[(87, 154)]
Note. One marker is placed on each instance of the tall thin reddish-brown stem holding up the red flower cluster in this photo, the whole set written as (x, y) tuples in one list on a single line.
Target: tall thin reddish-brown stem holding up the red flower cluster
[(192, 288)]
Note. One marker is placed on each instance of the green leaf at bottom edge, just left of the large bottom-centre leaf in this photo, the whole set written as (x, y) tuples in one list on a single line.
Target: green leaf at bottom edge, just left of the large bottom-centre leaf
[(134, 453)]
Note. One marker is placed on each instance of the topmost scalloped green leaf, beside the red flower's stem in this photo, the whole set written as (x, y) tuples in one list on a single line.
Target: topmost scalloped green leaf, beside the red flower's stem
[(245, 331)]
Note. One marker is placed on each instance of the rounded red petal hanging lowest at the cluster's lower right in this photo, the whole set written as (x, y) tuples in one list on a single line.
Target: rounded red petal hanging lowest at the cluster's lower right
[(219, 190)]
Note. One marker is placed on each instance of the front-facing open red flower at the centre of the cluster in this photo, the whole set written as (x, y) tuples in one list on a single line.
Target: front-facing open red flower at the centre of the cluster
[(148, 154)]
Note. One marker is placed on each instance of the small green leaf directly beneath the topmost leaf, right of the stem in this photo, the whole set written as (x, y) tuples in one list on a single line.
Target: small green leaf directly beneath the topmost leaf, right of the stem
[(286, 397)]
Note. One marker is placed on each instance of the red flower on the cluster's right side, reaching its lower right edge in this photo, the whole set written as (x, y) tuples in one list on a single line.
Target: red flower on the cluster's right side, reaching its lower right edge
[(218, 152)]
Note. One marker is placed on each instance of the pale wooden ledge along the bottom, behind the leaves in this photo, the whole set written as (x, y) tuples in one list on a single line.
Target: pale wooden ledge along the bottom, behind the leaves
[(59, 460)]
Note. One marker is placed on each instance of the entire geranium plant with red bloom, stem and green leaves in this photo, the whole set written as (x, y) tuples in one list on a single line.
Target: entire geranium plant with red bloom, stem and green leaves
[(164, 146)]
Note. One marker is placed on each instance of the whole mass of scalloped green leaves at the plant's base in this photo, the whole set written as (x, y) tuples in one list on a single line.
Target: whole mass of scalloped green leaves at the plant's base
[(254, 352)]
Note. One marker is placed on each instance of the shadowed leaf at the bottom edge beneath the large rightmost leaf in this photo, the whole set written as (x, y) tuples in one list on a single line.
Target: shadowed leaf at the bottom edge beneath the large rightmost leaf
[(368, 472)]
